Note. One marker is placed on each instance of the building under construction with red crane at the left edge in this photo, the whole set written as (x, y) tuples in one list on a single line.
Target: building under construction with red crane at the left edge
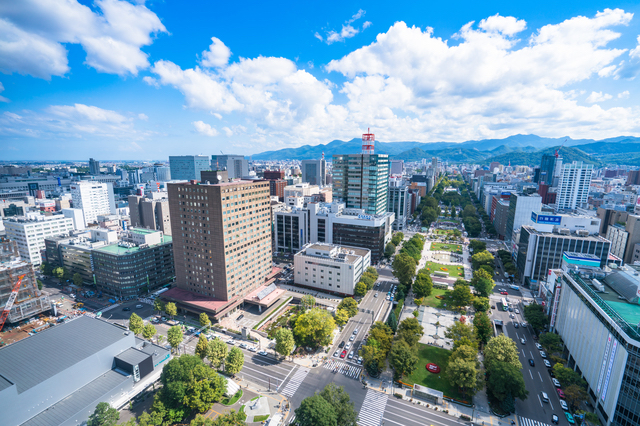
[(22, 302)]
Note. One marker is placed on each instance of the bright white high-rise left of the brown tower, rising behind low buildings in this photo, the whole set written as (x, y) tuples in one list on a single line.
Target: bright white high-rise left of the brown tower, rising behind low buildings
[(93, 199)]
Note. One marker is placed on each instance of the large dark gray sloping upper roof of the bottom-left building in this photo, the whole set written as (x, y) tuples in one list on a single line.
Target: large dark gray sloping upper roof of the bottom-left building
[(33, 360)]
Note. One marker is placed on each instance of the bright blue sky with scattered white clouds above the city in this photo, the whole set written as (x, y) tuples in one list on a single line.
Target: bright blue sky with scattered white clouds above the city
[(136, 80)]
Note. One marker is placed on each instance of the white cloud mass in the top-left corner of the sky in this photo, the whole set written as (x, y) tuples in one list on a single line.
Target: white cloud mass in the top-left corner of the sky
[(33, 32)]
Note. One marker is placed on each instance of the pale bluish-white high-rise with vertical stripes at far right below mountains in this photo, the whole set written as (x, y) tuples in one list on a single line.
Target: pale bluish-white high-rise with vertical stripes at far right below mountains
[(573, 187)]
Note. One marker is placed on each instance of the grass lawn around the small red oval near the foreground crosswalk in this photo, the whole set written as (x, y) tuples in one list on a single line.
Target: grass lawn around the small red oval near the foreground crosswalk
[(438, 381)]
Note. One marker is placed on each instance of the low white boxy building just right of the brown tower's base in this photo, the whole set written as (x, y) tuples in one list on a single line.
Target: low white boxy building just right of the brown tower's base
[(331, 268)]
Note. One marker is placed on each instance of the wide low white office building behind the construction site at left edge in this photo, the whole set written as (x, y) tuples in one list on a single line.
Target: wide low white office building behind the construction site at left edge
[(30, 231)]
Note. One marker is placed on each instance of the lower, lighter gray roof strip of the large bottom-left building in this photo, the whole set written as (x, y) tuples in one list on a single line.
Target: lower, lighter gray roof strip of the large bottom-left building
[(79, 400)]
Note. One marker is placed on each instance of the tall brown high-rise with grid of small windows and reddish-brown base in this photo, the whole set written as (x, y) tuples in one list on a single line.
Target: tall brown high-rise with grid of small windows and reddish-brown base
[(221, 242)]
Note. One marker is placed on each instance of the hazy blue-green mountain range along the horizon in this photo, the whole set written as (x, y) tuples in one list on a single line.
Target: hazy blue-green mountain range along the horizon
[(517, 149)]
